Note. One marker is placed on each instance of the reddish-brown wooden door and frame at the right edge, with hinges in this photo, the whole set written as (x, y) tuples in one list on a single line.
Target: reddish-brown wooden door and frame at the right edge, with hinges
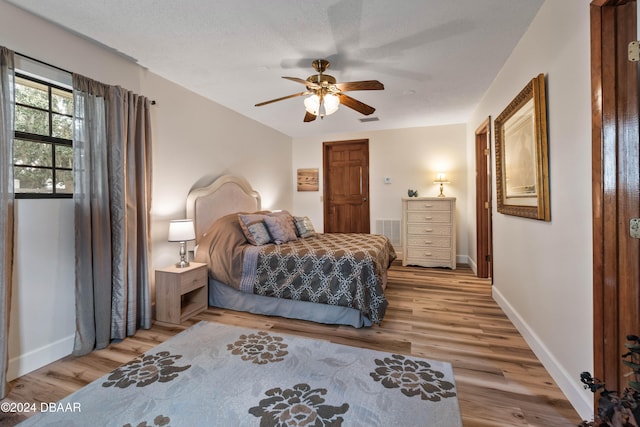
[(616, 186)]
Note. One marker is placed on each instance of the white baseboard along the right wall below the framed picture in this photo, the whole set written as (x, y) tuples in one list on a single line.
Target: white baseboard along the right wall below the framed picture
[(570, 386)]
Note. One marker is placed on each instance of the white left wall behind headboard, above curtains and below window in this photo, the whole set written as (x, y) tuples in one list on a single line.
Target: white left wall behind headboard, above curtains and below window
[(195, 140)]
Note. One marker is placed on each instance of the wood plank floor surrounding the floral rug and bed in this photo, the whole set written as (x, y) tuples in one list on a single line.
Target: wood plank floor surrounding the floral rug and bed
[(433, 313)]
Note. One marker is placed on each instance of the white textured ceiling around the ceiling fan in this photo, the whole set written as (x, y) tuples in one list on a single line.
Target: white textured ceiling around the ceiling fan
[(436, 58)]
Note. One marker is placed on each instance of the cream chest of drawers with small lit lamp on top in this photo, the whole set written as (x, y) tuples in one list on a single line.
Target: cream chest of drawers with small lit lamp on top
[(429, 231)]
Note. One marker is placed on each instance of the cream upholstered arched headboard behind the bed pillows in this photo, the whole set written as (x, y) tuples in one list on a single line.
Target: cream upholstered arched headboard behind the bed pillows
[(227, 194)]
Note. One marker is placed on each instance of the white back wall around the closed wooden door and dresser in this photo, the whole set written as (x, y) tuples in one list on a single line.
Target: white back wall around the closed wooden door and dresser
[(410, 157)]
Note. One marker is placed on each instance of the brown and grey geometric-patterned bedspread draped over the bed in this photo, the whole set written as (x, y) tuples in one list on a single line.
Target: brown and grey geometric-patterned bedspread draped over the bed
[(338, 269)]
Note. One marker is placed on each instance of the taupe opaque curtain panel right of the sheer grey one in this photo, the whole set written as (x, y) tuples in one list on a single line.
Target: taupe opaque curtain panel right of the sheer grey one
[(131, 124)]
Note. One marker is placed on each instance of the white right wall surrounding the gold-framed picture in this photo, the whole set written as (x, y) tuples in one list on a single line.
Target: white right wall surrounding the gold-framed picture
[(543, 270)]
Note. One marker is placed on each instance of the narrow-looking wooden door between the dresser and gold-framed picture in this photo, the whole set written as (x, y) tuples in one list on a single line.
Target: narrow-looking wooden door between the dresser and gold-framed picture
[(484, 240)]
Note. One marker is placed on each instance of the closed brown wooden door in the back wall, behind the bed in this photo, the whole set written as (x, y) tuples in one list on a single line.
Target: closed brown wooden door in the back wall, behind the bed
[(346, 186)]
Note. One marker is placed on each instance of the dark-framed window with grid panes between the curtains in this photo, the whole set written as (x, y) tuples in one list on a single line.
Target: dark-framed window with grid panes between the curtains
[(43, 145)]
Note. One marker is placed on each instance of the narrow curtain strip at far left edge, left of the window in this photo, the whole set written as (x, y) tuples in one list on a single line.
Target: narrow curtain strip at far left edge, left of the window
[(7, 101)]
